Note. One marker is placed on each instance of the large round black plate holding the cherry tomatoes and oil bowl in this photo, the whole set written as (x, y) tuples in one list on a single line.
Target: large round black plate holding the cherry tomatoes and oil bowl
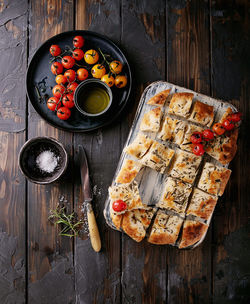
[(39, 76)]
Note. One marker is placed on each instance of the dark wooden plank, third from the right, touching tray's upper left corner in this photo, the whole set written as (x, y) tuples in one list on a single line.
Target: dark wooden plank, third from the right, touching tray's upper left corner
[(143, 38)]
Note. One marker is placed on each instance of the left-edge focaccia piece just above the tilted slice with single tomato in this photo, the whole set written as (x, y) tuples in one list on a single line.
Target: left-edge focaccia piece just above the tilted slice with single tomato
[(128, 171)]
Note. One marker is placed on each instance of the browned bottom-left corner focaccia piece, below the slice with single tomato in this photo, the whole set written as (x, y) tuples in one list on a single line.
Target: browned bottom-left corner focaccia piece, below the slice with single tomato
[(136, 222)]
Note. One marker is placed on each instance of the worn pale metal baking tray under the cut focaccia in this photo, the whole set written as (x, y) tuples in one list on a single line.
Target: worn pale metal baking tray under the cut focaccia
[(150, 181)]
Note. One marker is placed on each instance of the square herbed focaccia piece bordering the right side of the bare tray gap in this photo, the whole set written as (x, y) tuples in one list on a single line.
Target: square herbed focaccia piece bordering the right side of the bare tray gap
[(175, 195)]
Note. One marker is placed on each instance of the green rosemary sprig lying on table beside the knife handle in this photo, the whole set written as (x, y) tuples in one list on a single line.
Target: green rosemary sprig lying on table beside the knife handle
[(70, 225)]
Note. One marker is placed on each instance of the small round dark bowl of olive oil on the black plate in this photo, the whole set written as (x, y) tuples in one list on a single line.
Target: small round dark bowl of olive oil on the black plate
[(93, 97)]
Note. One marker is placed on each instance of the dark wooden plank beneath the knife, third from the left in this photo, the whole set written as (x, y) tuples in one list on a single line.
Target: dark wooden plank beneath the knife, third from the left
[(98, 274)]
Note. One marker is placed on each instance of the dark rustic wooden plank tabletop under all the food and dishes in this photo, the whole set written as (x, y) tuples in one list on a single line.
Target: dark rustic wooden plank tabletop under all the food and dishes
[(201, 45)]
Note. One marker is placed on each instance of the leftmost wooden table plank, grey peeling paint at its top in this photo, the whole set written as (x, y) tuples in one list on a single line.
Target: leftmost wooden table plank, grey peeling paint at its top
[(13, 24)]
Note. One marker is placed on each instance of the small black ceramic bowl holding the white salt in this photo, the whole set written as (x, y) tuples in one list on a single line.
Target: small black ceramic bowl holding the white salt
[(28, 159)]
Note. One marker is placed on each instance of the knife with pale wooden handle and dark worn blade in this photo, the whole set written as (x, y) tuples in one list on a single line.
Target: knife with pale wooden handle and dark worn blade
[(87, 199)]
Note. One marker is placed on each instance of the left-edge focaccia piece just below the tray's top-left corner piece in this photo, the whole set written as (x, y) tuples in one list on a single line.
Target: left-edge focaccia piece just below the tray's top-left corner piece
[(151, 120)]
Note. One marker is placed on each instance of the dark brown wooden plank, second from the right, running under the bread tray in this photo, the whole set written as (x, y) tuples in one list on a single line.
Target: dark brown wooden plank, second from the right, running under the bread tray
[(189, 272)]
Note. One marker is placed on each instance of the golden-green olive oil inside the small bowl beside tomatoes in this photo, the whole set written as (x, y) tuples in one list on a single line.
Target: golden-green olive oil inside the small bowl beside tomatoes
[(94, 101)]
